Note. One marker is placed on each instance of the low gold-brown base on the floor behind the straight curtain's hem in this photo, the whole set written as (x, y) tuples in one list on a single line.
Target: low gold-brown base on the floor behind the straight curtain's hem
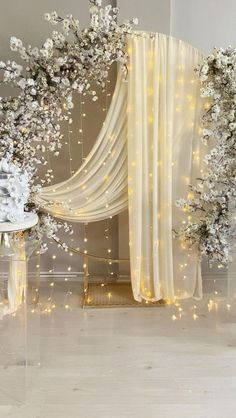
[(114, 295)]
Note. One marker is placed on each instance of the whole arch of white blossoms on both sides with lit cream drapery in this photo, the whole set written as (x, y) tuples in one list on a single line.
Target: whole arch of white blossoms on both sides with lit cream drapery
[(149, 166)]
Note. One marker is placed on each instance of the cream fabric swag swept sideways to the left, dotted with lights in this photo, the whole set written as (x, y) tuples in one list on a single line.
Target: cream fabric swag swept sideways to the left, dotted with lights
[(99, 188)]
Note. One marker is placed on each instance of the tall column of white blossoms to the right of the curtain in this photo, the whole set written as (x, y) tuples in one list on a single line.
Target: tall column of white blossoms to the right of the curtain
[(213, 198)]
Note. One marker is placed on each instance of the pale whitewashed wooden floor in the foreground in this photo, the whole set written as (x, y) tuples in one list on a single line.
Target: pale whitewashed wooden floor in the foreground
[(163, 362)]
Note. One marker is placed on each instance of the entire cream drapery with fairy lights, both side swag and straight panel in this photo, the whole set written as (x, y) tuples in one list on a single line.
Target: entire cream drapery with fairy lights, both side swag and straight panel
[(157, 114)]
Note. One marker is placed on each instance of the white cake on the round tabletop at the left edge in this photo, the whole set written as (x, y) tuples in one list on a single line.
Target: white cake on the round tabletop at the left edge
[(14, 192)]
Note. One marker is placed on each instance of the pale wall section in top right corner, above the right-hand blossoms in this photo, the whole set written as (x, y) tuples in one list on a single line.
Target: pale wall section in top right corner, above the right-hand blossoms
[(204, 23)]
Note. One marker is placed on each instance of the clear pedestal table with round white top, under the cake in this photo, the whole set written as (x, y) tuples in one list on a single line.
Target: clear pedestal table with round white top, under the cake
[(19, 313)]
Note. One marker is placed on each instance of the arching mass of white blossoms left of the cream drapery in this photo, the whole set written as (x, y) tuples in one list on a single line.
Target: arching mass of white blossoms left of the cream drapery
[(71, 60)]
